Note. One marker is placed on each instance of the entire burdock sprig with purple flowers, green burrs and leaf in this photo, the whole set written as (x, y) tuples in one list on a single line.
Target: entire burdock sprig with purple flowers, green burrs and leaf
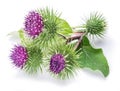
[(47, 41)]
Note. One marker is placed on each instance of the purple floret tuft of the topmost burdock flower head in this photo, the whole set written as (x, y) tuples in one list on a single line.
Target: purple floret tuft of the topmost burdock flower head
[(33, 24)]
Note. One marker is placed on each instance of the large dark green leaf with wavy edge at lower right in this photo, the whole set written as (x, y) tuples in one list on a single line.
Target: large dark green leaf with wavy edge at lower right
[(93, 58)]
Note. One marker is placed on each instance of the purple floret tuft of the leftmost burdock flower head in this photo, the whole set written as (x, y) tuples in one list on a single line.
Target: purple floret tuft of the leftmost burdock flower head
[(19, 56)]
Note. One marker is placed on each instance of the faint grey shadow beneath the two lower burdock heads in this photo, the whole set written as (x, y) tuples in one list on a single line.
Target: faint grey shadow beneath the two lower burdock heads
[(43, 77)]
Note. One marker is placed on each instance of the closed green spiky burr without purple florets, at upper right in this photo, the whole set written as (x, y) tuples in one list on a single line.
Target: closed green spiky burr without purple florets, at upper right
[(96, 24)]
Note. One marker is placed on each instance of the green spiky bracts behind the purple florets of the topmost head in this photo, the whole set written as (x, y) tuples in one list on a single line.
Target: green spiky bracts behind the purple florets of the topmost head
[(50, 27)]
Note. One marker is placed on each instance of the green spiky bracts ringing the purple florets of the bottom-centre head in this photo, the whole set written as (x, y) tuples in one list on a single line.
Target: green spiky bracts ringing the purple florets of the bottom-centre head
[(70, 59)]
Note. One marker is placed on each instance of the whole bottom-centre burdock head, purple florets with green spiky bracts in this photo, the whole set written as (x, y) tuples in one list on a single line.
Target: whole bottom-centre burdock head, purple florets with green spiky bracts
[(62, 60)]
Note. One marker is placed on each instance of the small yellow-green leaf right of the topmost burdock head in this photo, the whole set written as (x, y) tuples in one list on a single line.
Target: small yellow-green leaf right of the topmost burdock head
[(64, 28)]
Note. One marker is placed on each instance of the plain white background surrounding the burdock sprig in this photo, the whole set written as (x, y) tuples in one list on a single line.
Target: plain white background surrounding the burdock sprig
[(12, 13)]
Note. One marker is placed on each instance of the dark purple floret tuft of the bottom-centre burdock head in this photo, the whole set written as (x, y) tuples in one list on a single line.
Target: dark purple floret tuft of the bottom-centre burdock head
[(57, 63)]
